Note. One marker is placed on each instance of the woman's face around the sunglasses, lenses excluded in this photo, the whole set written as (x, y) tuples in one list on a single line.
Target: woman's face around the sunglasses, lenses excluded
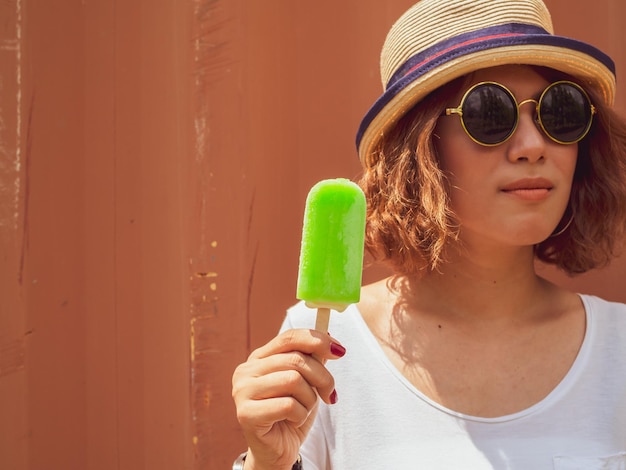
[(514, 193)]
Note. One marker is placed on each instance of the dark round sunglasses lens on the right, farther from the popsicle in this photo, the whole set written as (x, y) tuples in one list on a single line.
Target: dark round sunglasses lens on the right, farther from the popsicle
[(565, 112)]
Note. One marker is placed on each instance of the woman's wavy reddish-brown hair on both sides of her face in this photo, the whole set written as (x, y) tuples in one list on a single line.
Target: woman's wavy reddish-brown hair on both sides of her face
[(409, 217)]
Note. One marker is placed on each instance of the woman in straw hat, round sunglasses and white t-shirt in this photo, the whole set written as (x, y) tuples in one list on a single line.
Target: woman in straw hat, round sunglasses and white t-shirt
[(493, 145)]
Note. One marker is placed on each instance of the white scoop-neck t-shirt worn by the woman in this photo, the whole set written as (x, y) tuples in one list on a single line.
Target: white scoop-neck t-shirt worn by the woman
[(382, 421)]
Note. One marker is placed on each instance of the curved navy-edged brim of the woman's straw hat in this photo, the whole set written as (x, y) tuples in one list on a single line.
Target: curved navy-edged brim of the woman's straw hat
[(593, 68)]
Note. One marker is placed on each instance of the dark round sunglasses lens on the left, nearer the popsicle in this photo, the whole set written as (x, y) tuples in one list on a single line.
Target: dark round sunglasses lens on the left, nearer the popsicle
[(489, 114)]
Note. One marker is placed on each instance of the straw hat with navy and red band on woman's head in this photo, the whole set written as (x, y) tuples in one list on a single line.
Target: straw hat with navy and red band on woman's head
[(436, 41)]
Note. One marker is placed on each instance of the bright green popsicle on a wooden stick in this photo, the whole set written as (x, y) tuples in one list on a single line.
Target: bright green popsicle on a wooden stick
[(331, 255)]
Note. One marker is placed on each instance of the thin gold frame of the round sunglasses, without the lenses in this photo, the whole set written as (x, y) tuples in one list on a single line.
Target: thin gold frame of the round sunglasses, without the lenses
[(459, 110)]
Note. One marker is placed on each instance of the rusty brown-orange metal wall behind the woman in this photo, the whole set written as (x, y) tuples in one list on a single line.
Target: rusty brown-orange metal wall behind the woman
[(154, 160)]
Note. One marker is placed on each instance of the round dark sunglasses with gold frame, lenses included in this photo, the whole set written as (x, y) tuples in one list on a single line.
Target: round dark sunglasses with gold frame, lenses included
[(489, 112)]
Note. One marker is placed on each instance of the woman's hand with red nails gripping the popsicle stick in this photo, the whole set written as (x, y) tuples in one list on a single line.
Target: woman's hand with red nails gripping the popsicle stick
[(276, 391)]
